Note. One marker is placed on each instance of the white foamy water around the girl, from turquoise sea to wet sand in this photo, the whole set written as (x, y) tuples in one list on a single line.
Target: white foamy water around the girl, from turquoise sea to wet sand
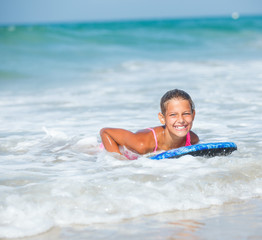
[(53, 174)]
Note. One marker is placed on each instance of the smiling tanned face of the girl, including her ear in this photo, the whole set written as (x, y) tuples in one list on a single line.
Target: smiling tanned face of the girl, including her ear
[(179, 117)]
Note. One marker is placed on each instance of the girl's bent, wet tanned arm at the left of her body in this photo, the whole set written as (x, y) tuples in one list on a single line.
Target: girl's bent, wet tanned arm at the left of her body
[(112, 138)]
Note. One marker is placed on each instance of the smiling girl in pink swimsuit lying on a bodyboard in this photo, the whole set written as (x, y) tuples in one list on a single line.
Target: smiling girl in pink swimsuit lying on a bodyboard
[(177, 116)]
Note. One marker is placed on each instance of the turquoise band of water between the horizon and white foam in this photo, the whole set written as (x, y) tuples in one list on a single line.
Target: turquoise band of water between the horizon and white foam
[(60, 53)]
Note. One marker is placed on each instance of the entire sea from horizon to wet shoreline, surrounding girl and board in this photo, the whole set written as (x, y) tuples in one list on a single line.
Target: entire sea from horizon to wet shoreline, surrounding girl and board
[(61, 83)]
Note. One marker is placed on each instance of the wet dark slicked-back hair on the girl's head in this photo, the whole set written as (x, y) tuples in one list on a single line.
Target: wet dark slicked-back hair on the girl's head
[(175, 93)]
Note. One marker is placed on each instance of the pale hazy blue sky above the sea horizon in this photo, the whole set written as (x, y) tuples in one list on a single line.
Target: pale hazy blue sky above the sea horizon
[(28, 11)]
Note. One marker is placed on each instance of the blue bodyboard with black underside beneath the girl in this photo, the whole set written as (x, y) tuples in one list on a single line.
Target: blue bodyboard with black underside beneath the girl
[(203, 150)]
